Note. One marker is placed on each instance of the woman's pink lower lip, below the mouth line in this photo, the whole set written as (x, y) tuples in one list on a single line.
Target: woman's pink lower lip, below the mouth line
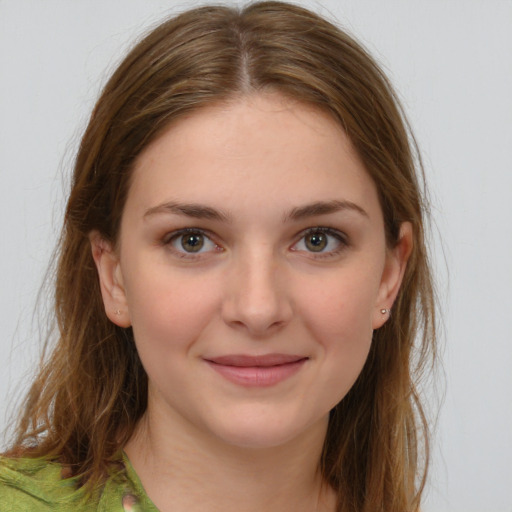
[(258, 376)]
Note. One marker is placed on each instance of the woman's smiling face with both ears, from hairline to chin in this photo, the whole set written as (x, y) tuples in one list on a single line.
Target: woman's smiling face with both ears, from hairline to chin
[(253, 267)]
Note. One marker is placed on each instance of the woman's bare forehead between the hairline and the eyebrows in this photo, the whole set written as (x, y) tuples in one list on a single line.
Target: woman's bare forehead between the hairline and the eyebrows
[(262, 149)]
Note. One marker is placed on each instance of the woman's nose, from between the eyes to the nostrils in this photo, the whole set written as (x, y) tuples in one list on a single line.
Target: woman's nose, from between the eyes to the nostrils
[(256, 298)]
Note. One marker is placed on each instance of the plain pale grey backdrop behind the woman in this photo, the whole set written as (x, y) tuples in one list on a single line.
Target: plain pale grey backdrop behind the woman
[(451, 62)]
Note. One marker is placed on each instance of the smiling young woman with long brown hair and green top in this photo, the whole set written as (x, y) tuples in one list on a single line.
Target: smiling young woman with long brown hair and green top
[(241, 280)]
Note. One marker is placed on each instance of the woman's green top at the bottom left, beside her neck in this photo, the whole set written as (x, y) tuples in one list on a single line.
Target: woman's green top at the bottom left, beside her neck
[(38, 485)]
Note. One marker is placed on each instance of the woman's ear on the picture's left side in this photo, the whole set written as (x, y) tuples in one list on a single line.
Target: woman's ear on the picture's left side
[(111, 280)]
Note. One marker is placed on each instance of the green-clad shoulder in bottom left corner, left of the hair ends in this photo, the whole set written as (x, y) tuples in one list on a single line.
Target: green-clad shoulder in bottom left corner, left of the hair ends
[(37, 484)]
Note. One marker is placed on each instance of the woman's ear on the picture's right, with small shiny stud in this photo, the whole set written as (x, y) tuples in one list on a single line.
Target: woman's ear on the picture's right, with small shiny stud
[(392, 276)]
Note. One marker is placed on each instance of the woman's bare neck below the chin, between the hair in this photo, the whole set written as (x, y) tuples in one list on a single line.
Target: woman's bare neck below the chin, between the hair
[(186, 470)]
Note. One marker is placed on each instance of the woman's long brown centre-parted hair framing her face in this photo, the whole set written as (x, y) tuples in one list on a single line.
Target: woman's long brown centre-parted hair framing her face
[(92, 389)]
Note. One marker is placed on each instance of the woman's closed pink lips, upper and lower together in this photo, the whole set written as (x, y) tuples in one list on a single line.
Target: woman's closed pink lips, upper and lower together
[(257, 371)]
